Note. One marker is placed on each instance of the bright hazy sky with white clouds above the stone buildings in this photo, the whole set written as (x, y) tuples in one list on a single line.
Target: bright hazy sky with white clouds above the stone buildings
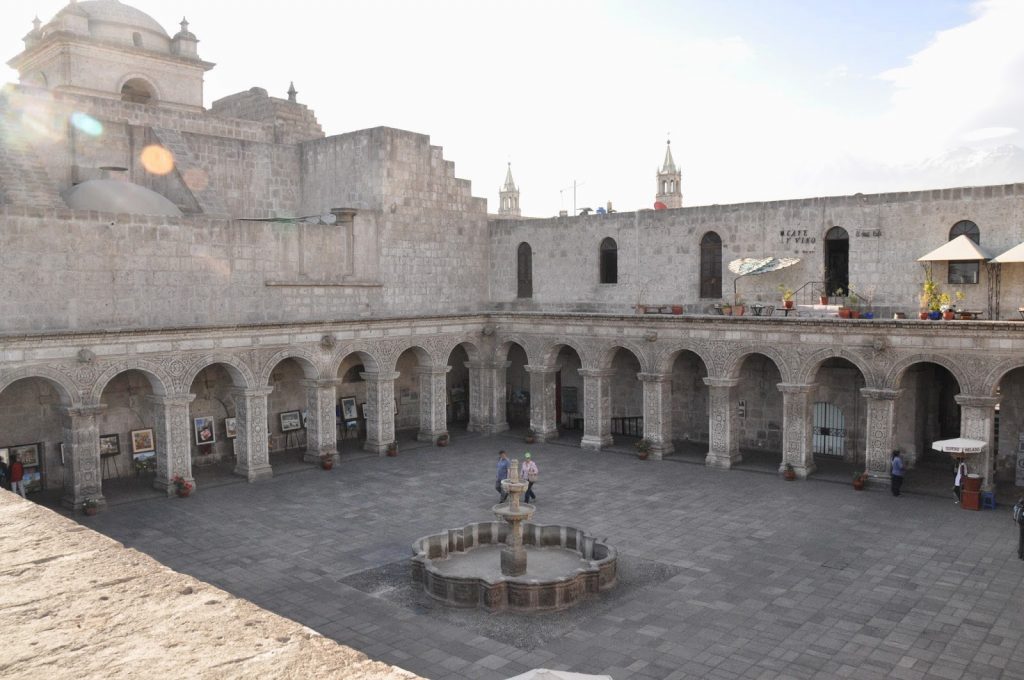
[(762, 101)]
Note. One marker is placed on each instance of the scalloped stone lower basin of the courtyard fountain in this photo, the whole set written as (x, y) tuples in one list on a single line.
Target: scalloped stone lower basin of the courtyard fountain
[(461, 568)]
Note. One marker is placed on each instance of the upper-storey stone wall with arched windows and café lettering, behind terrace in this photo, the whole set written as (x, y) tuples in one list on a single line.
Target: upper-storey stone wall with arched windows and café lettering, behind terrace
[(660, 251)]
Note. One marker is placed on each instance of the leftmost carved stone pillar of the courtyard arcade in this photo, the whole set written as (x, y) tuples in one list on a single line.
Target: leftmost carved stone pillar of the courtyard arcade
[(82, 477)]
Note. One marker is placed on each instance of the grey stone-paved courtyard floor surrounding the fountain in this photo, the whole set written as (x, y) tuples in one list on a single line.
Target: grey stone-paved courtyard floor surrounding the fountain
[(724, 574)]
